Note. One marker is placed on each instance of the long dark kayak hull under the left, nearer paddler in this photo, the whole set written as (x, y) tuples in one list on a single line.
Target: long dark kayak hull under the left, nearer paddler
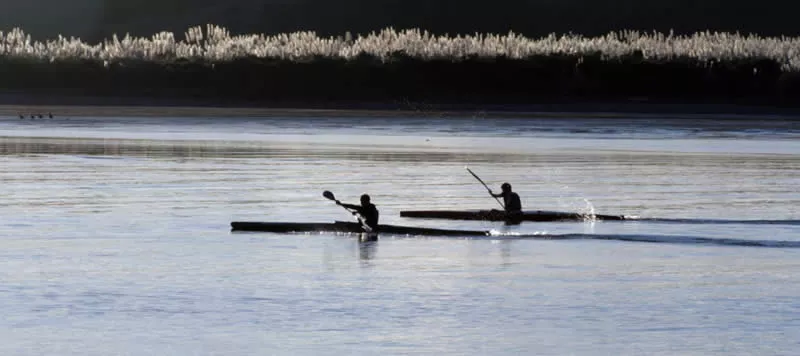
[(347, 227)]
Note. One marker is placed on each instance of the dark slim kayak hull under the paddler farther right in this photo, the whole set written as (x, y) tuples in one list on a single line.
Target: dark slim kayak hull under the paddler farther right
[(498, 215)]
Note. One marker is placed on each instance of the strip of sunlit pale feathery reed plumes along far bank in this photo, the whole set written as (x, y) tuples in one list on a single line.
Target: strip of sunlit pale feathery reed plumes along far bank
[(215, 44)]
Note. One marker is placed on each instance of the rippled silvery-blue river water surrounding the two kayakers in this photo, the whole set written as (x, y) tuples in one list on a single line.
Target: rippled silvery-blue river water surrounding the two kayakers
[(115, 236)]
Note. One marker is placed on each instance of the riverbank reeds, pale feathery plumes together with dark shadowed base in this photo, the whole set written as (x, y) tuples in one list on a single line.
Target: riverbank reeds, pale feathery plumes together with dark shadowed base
[(409, 65)]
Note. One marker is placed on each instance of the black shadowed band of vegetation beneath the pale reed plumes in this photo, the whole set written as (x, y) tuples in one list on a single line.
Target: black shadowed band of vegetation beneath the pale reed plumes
[(476, 82)]
